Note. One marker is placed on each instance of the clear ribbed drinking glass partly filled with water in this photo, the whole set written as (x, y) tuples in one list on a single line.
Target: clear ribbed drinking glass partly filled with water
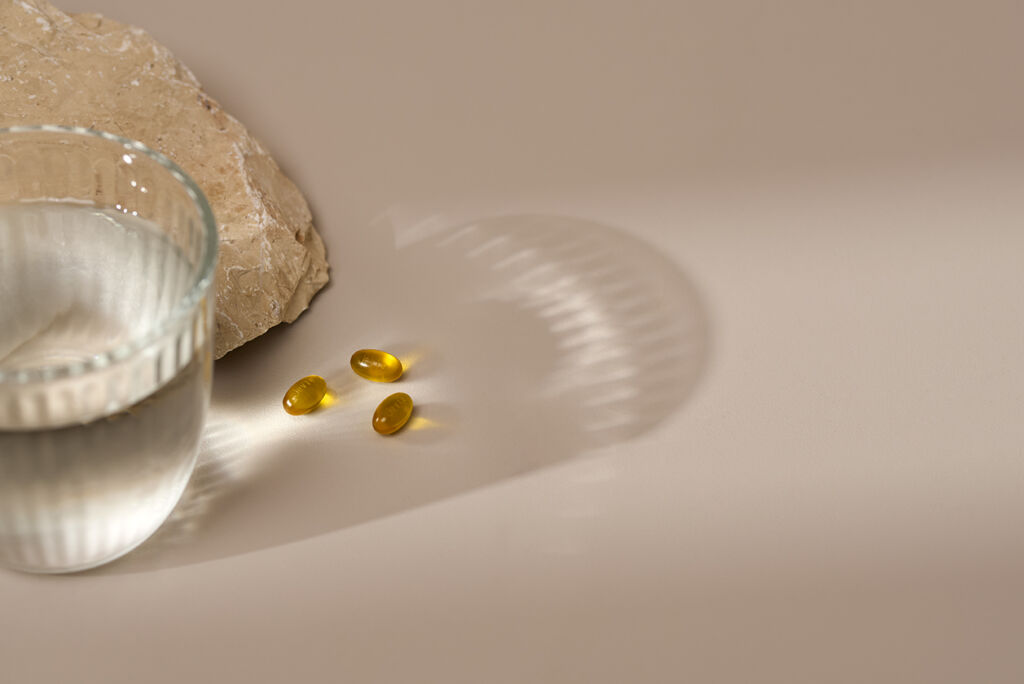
[(107, 260)]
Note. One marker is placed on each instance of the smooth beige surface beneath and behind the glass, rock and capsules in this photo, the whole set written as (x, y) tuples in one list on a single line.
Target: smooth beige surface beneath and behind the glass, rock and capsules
[(741, 402)]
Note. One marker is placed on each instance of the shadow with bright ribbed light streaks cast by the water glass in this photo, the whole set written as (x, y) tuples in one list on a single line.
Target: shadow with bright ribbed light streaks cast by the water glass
[(529, 339)]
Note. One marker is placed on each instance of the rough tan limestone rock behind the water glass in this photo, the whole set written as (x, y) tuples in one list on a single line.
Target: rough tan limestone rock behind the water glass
[(86, 70)]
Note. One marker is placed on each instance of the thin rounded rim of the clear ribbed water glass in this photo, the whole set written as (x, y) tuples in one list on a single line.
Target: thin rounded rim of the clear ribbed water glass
[(198, 288)]
